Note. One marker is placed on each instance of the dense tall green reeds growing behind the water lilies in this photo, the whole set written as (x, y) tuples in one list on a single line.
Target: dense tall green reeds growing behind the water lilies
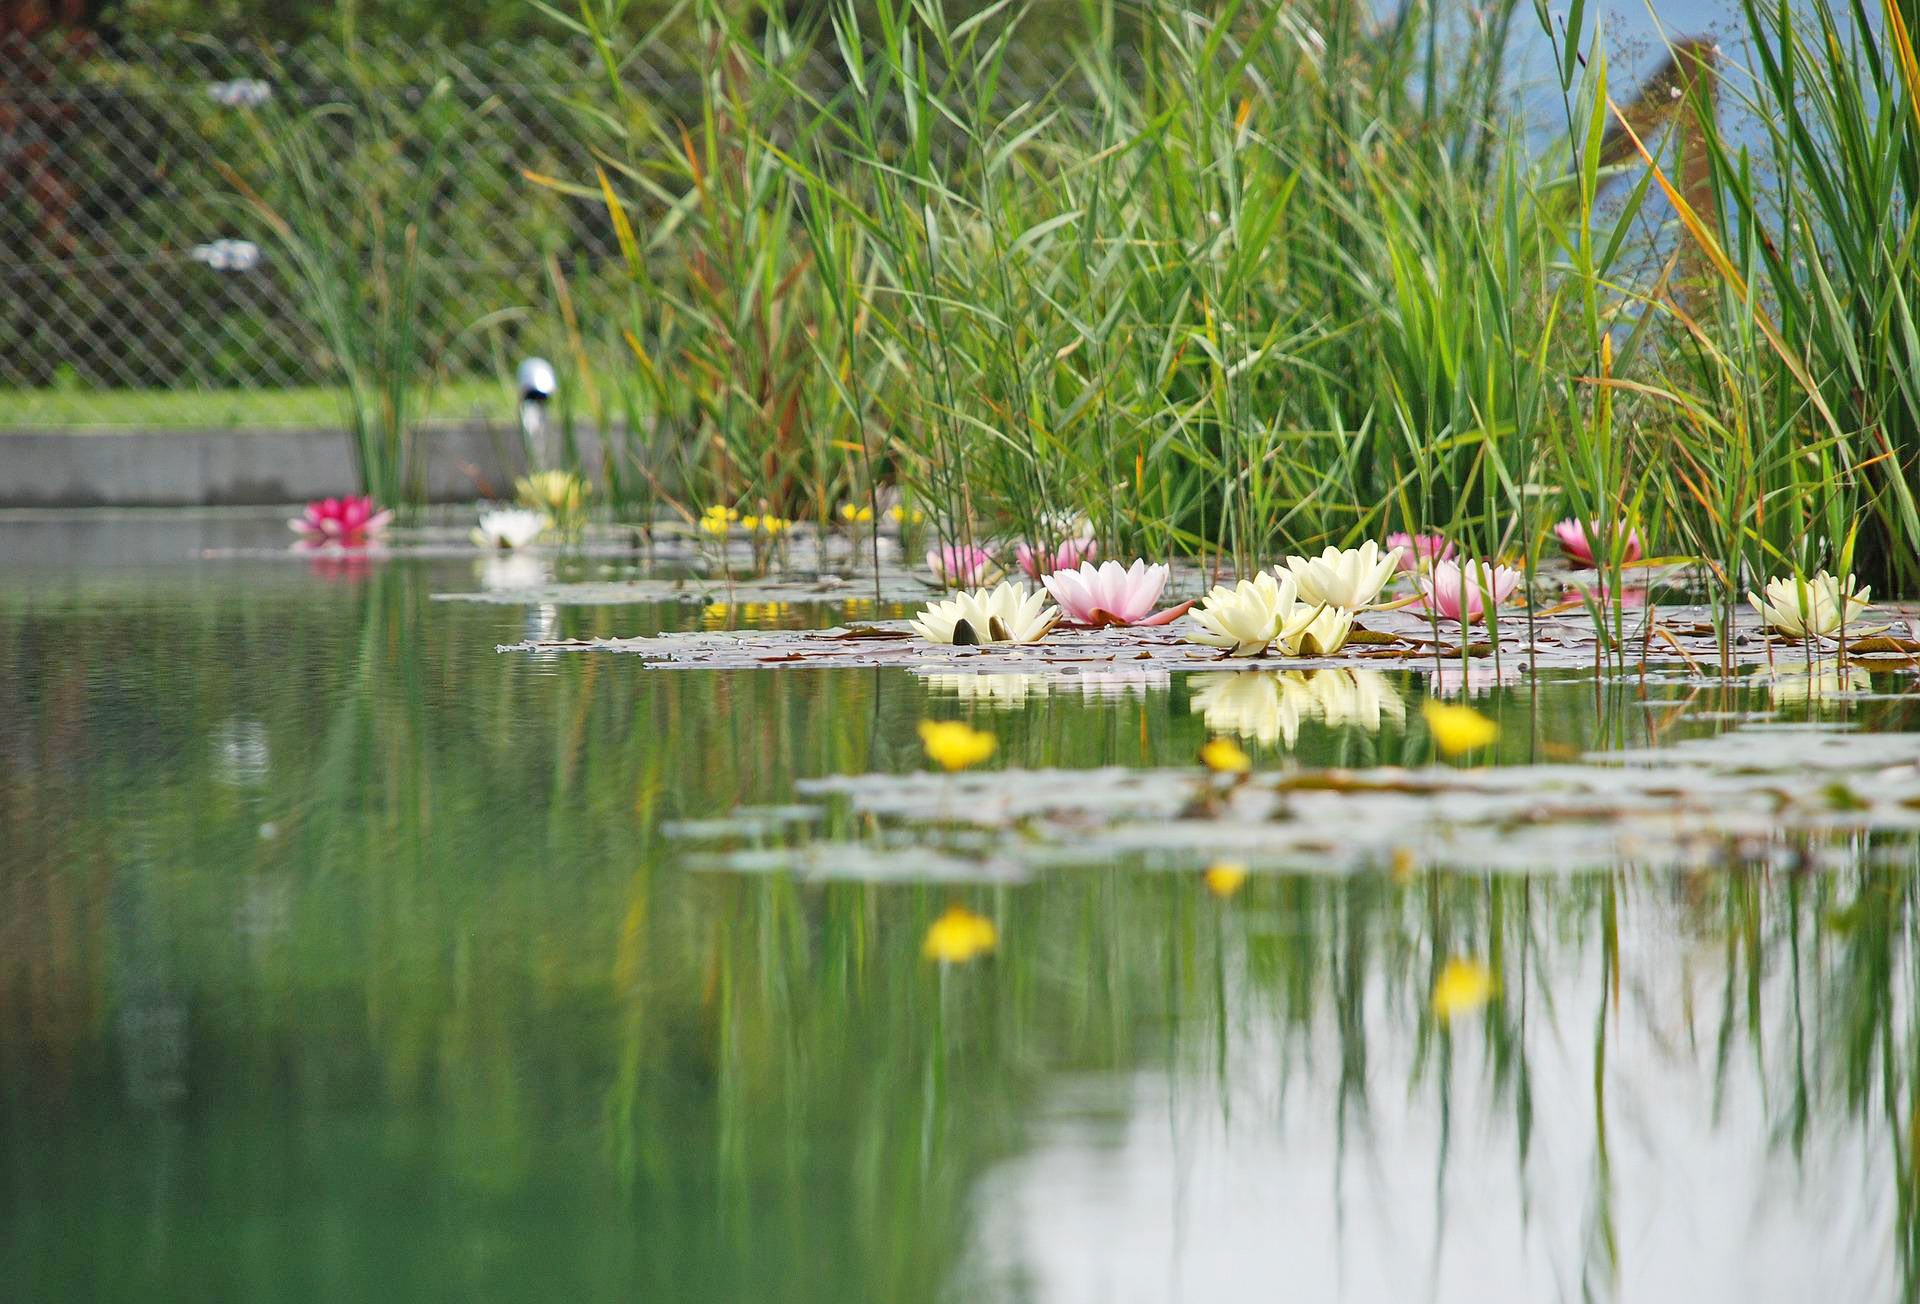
[(1247, 279)]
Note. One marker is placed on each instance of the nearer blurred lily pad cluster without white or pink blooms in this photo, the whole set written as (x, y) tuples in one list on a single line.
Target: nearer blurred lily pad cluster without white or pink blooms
[(1777, 796)]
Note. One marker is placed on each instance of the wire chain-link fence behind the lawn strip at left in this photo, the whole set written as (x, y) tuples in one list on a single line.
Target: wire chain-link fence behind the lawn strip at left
[(137, 287)]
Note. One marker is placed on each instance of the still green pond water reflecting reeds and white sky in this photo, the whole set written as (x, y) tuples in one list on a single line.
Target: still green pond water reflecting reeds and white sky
[(347, 957)]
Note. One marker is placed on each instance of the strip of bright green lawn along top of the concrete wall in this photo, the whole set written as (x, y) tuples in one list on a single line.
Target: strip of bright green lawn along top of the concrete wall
[(172, 410)]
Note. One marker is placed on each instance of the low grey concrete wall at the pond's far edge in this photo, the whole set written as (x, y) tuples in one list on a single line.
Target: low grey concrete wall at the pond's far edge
[(239, 468)]
